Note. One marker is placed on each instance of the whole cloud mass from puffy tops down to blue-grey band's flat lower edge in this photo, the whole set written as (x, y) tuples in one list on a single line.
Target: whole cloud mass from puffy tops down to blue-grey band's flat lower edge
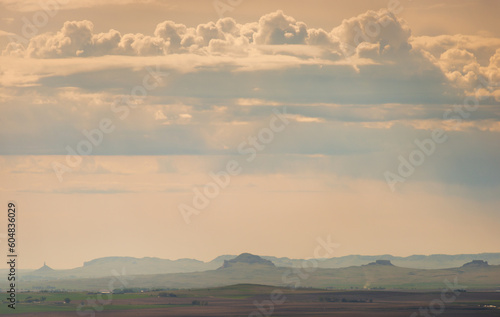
[(225, 78)]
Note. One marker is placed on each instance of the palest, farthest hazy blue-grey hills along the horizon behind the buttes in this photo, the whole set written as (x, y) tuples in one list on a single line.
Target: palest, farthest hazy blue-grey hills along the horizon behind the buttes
[(136, 266)]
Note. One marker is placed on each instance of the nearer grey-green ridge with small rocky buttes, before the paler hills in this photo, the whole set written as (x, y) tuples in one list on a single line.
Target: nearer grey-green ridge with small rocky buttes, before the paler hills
[(251, 269)]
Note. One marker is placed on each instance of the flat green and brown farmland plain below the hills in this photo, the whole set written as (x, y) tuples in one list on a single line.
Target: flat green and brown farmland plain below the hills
[(260, 300)]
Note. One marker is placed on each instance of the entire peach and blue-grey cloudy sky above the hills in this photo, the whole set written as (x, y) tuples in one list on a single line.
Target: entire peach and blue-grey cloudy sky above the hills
[(192, 129)]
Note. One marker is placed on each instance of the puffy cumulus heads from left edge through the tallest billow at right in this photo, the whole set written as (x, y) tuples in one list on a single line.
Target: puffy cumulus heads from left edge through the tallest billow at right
[(225, 36)]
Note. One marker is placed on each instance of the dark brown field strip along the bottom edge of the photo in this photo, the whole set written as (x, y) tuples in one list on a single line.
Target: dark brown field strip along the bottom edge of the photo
[(306, 303)]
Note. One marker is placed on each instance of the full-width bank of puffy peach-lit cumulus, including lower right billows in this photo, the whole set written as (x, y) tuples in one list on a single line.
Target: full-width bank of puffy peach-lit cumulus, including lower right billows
[(371, 38)]
